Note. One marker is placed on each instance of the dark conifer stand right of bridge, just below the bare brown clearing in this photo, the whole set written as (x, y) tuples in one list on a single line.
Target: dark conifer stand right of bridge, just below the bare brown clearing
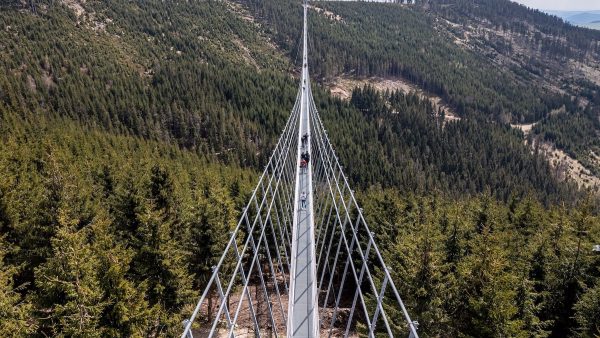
[(418, 151)]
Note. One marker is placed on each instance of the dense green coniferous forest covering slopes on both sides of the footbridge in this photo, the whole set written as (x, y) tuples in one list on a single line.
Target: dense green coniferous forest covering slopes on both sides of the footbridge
[(133, 132)]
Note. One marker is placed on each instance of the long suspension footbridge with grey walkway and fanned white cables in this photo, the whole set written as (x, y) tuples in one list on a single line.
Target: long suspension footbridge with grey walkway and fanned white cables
[(302, 261)]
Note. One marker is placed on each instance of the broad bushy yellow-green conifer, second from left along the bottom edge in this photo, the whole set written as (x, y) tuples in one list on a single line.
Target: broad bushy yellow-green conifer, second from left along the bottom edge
[(69, 292)]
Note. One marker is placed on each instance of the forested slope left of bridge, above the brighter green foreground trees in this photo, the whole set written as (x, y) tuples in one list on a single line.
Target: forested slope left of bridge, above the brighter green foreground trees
[(141, 77)]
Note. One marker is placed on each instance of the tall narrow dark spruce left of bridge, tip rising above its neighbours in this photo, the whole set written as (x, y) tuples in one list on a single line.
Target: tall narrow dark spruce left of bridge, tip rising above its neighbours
[(160, 261)]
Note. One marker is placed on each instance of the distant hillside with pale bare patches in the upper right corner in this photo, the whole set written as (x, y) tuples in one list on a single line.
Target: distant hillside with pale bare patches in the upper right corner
[(542, 50)]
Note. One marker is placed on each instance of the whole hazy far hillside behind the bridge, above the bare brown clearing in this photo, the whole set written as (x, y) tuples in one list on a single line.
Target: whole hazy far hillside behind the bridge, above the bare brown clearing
[(492, 60)]
